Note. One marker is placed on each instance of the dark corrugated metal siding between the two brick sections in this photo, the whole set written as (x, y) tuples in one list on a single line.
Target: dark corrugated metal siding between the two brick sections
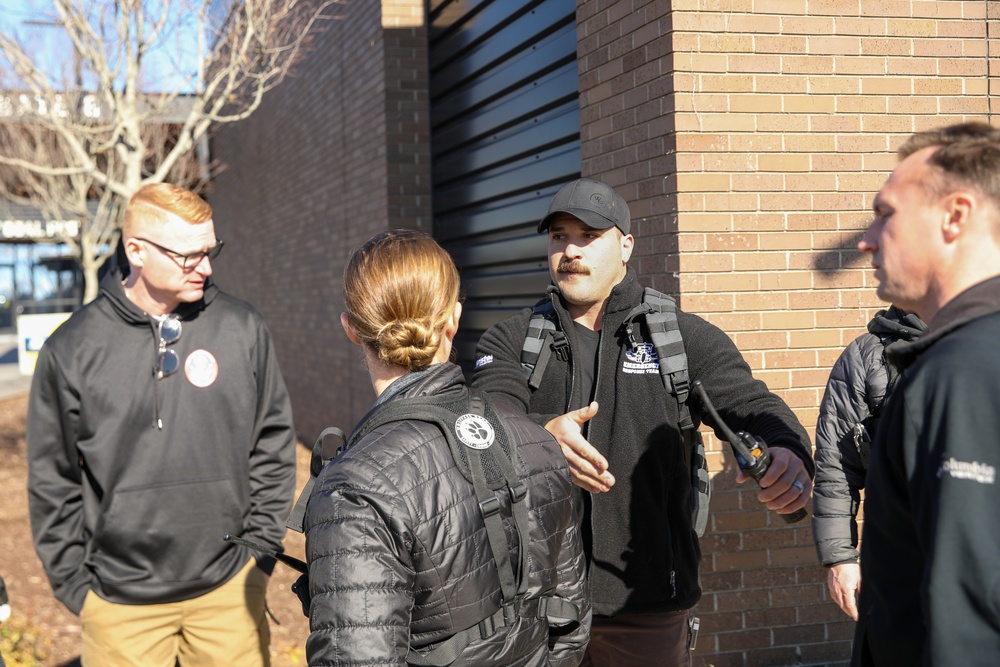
[(505, 134)]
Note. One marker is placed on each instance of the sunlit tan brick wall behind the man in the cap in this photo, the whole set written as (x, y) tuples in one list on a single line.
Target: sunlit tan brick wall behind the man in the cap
[(749, 138)]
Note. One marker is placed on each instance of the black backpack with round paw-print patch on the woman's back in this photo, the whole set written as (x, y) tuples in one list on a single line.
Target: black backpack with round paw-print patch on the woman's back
[(484, 452)]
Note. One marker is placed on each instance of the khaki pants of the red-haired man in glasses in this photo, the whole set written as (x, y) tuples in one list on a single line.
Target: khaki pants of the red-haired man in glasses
[(224, 627)]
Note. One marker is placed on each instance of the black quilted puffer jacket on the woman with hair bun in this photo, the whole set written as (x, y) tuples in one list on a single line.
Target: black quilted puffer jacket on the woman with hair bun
[(398, 553)]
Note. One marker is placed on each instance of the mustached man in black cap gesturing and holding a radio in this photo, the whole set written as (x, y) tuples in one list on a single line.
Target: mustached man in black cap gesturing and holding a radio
[(603, 399)]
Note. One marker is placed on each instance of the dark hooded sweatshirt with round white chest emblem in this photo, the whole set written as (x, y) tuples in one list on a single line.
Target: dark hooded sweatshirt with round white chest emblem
[(136, 511)]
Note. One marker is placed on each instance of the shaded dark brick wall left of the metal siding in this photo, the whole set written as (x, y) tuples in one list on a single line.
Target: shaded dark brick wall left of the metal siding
[(334, 155)]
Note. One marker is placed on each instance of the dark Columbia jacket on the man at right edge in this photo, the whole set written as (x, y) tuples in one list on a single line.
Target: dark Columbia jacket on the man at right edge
[(930, 592)]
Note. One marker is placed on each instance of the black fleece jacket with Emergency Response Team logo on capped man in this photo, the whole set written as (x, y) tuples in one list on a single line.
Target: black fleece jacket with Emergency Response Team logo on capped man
[(643, 550)]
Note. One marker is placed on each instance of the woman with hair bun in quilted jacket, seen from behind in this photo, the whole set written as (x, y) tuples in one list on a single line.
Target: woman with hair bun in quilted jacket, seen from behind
[(447, 532)]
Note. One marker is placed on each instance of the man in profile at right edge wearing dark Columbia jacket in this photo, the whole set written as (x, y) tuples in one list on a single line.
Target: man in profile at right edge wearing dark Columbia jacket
[(930, 592)]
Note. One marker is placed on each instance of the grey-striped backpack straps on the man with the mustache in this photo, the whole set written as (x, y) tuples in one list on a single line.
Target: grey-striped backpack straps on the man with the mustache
[(659, 312)]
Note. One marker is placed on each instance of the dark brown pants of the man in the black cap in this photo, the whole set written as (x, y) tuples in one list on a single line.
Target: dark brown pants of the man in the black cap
[(639, 640)]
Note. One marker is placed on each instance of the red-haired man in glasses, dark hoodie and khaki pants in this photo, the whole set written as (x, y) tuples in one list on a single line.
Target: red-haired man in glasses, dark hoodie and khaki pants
[(158, 422)]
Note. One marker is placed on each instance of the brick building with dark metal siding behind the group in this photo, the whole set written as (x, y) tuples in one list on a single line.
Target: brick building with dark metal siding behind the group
[(749, 138)]
